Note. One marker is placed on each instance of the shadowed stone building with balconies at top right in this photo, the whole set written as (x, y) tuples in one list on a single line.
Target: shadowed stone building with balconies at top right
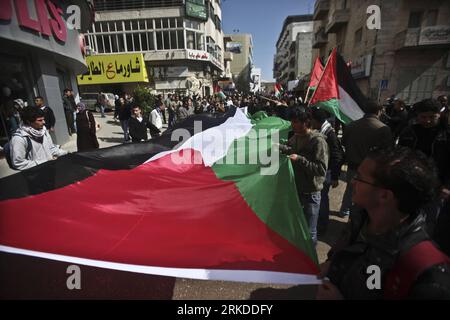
[(408, 57)]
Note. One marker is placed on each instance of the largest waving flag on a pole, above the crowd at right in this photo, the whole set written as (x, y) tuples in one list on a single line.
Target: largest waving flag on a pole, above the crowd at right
[(337, 91)]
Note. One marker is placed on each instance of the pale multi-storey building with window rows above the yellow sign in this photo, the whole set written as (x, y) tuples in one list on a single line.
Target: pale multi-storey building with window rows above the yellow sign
[(182, 41)]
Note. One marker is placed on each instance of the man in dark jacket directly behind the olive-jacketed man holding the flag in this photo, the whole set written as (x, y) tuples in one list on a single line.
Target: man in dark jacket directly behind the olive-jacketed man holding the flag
[(336, 157)]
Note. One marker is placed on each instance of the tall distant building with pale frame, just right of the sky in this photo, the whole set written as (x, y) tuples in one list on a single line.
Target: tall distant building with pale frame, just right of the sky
[(294, 54)]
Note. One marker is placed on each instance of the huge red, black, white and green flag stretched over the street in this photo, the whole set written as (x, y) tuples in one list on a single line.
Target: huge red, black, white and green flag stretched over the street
[(166, 208)]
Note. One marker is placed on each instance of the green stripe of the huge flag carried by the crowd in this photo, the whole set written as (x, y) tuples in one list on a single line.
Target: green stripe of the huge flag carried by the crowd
[(273, 198)]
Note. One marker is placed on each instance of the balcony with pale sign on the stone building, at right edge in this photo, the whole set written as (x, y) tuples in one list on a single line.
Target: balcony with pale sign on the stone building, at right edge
[(418, 38)]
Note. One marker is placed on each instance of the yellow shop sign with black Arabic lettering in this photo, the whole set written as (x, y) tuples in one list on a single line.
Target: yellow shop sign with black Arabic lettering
[(117, 68)]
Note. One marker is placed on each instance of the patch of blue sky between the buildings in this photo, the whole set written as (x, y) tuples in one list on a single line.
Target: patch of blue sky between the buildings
[(264, 20)]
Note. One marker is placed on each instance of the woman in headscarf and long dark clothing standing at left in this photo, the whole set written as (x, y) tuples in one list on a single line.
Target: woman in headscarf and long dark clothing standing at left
[(86, 129)]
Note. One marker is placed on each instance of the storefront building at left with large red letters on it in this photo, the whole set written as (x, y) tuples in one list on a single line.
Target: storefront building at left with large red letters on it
[(41, 55)]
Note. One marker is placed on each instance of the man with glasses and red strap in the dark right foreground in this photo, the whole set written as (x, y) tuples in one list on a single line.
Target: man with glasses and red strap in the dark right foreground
[(385, 252)]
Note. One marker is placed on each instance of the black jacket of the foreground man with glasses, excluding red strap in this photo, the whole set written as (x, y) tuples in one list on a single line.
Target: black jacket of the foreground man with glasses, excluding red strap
[(357, 250)]
